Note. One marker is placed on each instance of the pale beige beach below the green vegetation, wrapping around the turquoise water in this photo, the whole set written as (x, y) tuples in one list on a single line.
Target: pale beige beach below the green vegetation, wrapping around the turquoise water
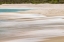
[(45, 9)]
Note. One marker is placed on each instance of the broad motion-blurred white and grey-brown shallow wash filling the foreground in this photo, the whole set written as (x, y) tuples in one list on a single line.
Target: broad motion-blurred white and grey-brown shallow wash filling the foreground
[(36, 29)]
